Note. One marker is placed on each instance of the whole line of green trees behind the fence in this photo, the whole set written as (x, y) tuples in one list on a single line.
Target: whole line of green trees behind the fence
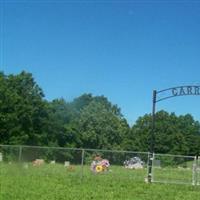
[(27, 118)]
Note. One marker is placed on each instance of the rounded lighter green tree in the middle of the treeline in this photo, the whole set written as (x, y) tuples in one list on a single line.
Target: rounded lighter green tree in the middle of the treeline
[(100, 126)]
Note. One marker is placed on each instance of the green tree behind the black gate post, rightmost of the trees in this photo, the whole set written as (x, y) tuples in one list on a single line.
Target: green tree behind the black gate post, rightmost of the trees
[(173, 134)]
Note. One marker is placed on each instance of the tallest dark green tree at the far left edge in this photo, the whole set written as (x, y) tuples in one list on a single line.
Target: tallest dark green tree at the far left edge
[(22, 110)]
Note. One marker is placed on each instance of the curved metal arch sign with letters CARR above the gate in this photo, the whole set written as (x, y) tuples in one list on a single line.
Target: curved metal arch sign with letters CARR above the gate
[(177, 91)]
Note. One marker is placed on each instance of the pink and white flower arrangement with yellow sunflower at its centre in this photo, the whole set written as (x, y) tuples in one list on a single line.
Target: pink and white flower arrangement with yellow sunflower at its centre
[(99, 165)]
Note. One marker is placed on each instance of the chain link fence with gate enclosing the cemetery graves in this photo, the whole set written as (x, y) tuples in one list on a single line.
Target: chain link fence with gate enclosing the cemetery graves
[(93, 163)]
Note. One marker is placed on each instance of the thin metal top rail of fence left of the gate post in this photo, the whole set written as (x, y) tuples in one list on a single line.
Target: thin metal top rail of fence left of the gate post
[(76, 149)]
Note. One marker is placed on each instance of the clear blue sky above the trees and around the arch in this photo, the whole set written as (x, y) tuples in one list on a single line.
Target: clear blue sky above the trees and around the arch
[(120, 49)]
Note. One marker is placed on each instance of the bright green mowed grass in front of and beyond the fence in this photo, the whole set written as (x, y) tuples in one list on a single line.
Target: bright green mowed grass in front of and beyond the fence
[(55, 182)]
